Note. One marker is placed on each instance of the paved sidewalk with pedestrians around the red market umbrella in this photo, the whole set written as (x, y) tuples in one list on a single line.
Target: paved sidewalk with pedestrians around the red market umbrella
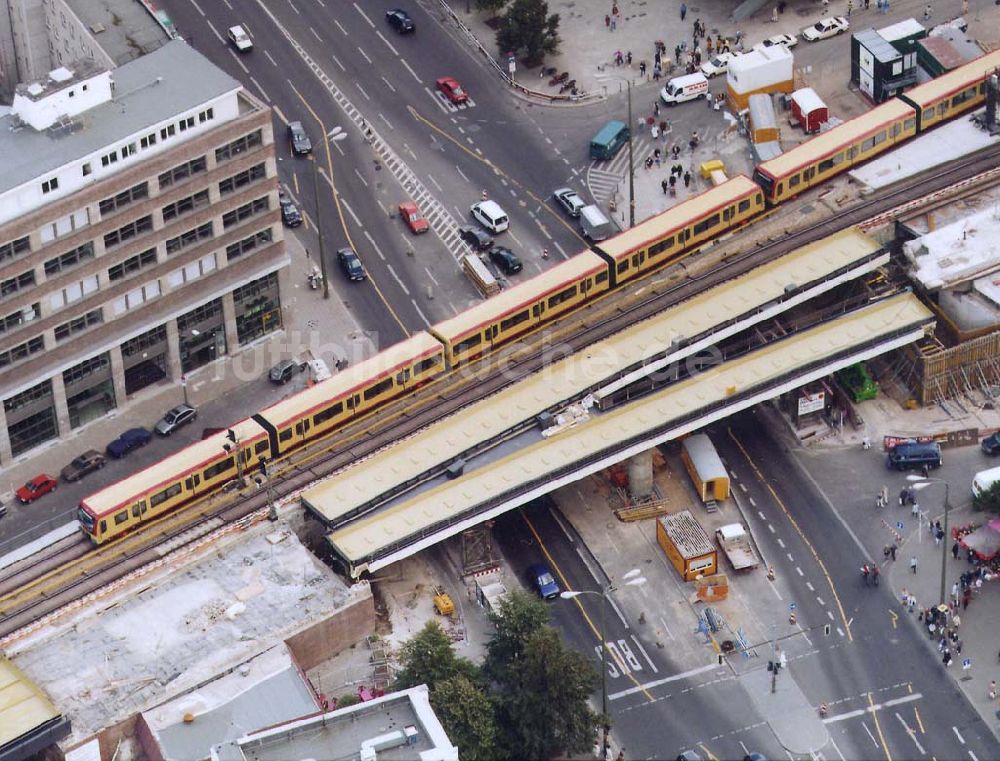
[(977, 630)]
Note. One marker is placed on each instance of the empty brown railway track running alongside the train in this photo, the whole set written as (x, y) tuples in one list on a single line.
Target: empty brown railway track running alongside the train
[(53, 580)]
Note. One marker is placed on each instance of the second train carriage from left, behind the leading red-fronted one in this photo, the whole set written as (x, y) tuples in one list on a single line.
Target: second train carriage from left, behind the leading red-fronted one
[(352, 392)]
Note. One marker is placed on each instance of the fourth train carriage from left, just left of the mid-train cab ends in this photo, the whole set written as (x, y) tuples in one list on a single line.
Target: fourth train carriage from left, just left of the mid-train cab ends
[(655, 241)]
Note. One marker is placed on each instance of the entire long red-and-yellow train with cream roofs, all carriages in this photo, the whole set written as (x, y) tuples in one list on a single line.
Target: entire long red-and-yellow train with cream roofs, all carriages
[(659, 240)]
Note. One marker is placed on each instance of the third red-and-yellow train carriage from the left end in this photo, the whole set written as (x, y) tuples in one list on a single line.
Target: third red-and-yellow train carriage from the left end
[(513, 312)]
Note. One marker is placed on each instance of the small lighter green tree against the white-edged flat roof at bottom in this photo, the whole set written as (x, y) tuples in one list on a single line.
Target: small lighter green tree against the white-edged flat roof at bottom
[(467, 715)]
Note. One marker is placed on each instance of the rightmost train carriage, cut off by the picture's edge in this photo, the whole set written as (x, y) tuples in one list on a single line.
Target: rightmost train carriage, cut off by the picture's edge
[(948, 95)]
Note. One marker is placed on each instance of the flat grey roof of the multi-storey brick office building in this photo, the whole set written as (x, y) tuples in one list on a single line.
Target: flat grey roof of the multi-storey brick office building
[(171, 80)]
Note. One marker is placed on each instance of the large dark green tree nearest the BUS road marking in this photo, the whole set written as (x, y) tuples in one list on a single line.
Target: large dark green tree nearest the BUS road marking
[(543, 700)]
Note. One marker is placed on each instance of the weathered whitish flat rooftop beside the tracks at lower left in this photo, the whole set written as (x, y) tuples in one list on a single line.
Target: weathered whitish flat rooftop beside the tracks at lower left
[(194, 615)]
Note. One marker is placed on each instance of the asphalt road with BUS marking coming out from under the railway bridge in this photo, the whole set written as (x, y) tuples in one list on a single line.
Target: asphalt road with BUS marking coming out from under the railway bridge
[(888, 697)]
